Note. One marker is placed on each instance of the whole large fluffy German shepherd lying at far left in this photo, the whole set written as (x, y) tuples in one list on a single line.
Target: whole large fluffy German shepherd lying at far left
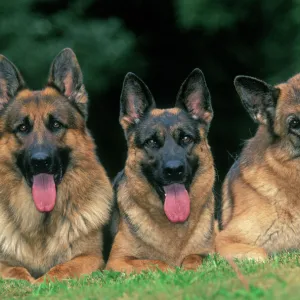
[(54, 194)]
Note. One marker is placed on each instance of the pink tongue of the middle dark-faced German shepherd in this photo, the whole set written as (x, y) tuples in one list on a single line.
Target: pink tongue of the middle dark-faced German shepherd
[(177, 203)]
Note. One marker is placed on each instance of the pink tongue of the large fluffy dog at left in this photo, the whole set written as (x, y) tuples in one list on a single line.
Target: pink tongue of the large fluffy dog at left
[(44, 192)]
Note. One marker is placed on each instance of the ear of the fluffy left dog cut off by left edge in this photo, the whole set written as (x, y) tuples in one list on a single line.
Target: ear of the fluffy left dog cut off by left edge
[(11, 81)]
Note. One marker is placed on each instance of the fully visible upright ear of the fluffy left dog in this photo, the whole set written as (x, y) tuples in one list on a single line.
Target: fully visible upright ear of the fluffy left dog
[(66, 76)]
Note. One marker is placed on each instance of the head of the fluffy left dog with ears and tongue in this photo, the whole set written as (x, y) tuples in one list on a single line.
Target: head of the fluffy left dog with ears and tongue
[(38, 126)]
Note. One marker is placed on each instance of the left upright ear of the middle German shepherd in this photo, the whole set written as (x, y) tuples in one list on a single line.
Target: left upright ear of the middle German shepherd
[(136, 100)]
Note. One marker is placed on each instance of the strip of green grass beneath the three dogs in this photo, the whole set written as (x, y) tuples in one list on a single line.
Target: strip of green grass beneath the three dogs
[(276, 279)]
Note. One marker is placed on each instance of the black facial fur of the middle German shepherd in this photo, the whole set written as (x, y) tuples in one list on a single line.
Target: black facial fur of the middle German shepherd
[(170, 147)]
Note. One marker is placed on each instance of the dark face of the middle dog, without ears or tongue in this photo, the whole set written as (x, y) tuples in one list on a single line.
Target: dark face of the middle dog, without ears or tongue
[(167, 139)]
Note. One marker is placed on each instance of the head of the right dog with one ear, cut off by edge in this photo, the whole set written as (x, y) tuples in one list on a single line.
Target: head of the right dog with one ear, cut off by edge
[(276, 107)]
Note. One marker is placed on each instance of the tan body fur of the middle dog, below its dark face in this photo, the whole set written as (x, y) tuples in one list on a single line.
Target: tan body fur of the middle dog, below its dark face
[(158, 242)]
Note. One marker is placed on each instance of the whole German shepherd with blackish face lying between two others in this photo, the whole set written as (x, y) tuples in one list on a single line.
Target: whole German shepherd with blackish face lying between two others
[(165, 192)]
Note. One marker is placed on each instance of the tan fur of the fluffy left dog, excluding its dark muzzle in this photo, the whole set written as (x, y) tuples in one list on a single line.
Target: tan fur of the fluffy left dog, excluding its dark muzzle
[(69, 243)]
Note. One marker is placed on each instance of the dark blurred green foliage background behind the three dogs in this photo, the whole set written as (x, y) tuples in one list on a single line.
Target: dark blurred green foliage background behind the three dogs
[(162, 42)]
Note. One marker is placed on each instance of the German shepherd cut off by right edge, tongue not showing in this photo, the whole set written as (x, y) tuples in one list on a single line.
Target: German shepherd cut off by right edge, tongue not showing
[(261, 208)]
